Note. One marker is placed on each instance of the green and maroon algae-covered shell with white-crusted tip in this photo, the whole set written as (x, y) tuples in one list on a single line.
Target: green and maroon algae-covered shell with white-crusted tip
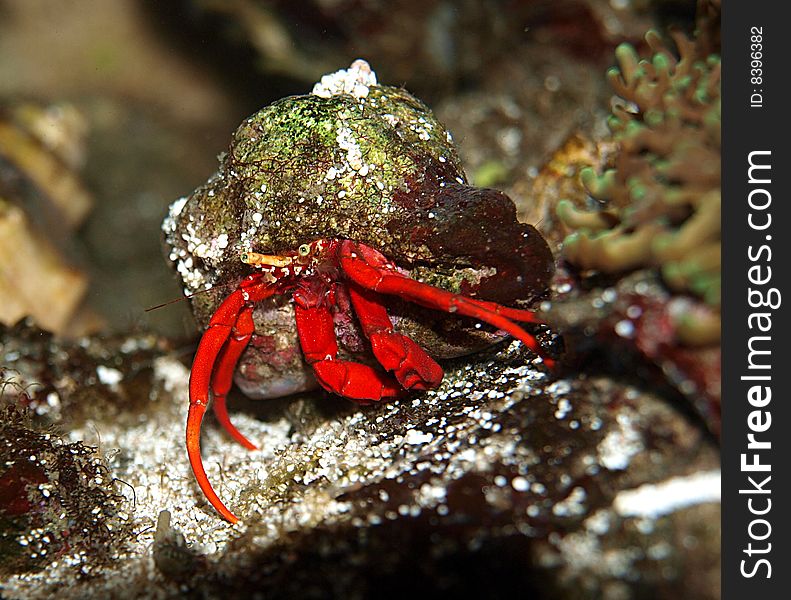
[(361, 161)]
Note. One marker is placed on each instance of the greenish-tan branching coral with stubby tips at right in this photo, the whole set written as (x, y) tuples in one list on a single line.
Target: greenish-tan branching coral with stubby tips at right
[(660, 199)]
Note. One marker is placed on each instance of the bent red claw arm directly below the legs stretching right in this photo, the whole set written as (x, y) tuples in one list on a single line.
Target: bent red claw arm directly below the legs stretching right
[(408, 362)]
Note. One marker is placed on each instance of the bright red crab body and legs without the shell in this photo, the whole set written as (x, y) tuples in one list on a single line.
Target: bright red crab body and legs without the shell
[(316, 276)]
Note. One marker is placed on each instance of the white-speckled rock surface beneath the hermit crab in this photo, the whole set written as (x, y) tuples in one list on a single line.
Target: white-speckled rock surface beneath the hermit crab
[(502, 479)]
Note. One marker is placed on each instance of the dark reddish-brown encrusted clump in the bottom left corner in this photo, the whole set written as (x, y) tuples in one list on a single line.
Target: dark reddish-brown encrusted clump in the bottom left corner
[(57, 500)]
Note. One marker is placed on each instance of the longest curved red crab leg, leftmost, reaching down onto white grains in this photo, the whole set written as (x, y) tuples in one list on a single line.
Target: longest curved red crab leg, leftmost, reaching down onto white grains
[(214, 339)]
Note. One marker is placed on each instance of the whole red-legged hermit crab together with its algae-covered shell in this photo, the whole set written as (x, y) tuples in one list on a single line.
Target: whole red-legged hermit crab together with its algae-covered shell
[(342, 223)]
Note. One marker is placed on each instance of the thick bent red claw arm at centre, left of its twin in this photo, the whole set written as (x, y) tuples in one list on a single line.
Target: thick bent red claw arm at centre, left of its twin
[(355, 381)]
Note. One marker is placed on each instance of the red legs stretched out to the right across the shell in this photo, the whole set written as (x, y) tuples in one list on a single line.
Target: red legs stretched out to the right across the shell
[(370, 269)]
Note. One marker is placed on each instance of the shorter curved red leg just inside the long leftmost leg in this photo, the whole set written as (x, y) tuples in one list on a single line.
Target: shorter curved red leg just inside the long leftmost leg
[(223, 372)]
